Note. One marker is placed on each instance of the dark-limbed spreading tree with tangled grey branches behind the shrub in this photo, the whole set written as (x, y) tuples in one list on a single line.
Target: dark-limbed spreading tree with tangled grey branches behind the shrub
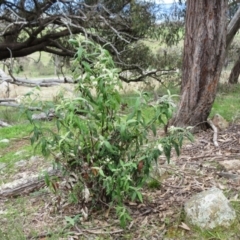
[(28, 26)]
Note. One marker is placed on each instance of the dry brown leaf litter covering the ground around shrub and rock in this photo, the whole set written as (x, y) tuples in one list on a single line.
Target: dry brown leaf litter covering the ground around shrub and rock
[(198, 168)]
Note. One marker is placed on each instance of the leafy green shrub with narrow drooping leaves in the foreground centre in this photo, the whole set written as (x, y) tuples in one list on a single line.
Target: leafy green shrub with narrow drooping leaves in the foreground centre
[(110, 151)]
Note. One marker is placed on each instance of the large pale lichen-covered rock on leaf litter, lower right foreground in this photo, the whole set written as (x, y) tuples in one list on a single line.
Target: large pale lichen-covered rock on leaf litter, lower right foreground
[(209, 209)]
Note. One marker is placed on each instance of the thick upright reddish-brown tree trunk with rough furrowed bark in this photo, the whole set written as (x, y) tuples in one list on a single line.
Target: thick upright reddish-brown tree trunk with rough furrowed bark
[(204, 52)]
